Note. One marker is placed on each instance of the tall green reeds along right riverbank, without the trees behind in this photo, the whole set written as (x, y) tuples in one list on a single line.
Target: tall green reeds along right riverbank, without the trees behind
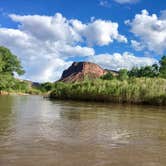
[(133, 90)]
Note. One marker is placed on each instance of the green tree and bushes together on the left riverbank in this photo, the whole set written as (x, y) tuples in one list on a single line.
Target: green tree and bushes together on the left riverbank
[(9, 66)]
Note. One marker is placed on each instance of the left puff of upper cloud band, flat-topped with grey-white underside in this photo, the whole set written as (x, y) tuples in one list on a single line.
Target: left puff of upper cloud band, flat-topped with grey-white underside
[(54, 28)]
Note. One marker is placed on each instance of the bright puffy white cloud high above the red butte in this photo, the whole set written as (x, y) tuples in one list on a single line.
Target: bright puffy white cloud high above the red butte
[(98, 32)]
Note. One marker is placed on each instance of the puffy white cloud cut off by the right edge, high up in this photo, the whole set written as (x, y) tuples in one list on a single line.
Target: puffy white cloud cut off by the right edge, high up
[(151, 30)]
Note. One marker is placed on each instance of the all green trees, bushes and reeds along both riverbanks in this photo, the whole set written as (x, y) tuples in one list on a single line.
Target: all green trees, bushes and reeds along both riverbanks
[(145, 85)]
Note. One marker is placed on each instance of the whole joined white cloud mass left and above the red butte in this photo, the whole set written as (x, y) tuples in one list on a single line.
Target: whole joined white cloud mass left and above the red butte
[(46, 43)]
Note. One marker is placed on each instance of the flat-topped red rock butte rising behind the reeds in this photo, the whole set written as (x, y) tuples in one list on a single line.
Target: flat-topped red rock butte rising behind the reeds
[(78, 71)]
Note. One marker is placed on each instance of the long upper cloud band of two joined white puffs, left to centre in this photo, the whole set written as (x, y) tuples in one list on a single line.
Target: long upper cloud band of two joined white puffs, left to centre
[(58, 28)]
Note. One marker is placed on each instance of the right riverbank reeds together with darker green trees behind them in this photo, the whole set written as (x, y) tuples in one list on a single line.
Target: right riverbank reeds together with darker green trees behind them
[(145, 85)]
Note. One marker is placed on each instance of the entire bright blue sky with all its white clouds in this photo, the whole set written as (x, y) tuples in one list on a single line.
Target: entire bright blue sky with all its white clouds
[(48, 35)]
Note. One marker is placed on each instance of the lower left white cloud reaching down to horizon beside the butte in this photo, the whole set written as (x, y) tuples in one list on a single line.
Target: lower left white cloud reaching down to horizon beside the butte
[(42, 60)]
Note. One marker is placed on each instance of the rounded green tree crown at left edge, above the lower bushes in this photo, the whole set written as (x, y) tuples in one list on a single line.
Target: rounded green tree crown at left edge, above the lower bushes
[(9, 63)]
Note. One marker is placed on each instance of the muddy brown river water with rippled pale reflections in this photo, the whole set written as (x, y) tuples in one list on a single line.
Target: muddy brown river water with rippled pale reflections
[(35, 131)]
